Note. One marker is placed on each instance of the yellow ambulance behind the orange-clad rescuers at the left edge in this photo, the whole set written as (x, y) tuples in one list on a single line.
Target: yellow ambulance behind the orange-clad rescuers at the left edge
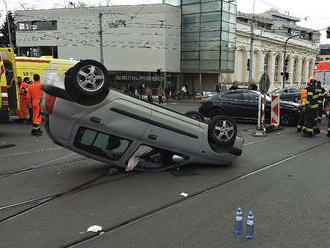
[(13, 66)]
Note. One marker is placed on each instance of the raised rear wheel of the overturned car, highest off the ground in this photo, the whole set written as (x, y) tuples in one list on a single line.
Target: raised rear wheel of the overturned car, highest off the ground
[(88, 78)]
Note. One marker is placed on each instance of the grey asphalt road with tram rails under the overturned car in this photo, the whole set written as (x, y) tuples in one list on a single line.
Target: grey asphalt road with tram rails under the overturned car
[(50, 196)]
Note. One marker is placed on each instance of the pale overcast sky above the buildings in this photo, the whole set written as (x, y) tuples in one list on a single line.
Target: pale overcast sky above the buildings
[(313, 14)]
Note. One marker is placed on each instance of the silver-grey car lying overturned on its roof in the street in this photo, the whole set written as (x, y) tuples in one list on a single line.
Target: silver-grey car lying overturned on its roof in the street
[(84, 115)]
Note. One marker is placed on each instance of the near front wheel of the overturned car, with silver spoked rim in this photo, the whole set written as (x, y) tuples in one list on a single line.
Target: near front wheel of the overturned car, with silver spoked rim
[(222, 130)]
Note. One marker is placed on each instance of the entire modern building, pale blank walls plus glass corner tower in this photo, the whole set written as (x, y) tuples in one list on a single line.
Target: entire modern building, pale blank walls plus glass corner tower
[(190, 41)]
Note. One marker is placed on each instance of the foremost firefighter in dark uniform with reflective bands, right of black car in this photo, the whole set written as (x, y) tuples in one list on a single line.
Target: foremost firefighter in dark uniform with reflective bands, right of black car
[(310, 126)]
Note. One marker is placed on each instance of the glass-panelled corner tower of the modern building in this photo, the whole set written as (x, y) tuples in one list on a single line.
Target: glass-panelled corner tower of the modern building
[(208, 36)]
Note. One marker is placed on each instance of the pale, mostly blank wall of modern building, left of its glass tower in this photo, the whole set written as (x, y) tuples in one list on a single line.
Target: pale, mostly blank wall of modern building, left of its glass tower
[(136, 40)]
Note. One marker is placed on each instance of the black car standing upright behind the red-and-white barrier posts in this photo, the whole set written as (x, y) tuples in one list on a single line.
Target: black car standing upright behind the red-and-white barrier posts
[(243, 105)]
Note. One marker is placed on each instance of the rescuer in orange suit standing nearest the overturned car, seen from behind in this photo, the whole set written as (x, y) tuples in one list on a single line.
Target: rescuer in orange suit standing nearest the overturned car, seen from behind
[(34, 95)]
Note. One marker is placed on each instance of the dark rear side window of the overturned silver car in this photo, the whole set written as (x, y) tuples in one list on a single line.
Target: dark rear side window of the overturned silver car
[(104, 145)]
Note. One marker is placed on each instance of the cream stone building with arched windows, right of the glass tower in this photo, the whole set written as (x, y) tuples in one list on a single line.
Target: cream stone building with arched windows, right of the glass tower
[(271, 30)]
